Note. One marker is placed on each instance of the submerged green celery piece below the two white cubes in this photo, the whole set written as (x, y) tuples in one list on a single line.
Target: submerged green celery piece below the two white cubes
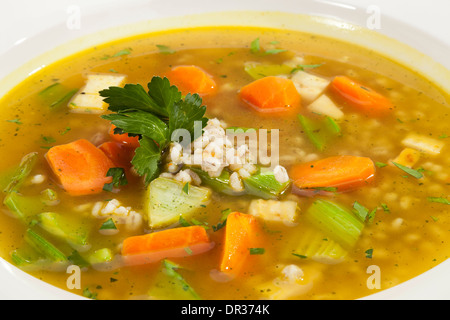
[(321, 131)]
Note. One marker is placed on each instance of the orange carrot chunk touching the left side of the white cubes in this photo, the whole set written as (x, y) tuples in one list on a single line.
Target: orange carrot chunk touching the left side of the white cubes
[(272, 95)]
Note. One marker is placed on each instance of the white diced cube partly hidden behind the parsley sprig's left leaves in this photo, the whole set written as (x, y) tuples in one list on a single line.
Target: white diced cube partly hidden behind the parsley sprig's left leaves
[(88, 99)]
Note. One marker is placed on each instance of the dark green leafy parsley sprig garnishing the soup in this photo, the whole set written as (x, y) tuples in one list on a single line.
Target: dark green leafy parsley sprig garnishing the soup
[(155, 116)]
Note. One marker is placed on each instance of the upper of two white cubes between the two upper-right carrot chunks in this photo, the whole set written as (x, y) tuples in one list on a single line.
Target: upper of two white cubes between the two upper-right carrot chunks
[(309, 86)]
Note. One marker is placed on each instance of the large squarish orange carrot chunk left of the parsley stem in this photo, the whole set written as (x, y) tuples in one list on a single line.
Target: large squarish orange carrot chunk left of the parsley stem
[(80, 167)]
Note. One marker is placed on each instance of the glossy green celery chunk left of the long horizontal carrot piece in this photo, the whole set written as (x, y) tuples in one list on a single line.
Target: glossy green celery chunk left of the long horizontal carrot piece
[(61, 227)]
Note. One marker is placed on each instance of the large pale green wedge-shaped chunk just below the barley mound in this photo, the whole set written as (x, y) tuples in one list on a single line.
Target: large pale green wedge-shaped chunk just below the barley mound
[(167, 201)]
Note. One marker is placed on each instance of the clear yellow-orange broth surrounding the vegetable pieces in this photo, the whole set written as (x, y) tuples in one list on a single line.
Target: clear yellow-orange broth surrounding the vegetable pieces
[(402, 249)]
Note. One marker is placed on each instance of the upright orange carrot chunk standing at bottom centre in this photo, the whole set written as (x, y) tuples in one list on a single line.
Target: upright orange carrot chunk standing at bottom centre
[(242, 233)]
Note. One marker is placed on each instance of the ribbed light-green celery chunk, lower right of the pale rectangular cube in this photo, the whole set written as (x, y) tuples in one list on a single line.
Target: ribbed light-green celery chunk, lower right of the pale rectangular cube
[(336, 222)]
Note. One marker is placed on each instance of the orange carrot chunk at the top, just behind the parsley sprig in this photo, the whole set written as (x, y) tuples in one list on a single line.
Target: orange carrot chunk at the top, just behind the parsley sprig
[(192, 79)]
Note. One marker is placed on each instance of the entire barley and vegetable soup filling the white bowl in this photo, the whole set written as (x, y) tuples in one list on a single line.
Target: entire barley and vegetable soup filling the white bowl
[(354, 200)]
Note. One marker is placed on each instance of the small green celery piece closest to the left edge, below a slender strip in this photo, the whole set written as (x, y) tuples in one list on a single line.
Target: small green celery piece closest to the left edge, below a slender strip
[(23, 208)]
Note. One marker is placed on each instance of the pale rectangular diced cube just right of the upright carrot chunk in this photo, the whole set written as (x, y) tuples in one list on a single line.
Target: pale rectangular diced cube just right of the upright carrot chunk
[(274, 210)]
